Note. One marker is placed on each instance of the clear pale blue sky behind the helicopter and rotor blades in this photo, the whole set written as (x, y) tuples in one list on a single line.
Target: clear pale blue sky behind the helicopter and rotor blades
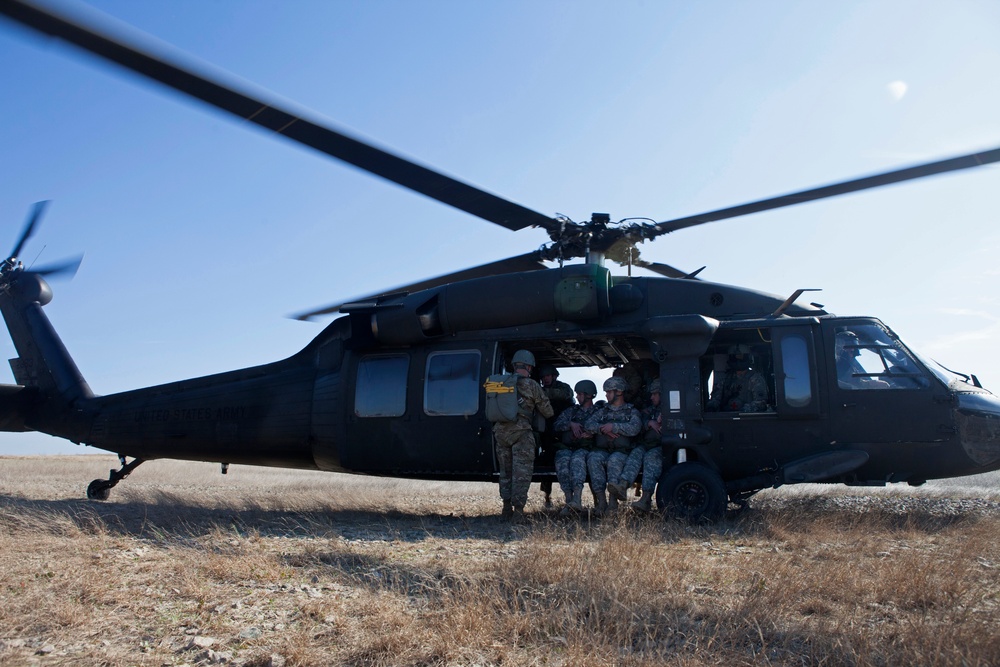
[(202, 234)]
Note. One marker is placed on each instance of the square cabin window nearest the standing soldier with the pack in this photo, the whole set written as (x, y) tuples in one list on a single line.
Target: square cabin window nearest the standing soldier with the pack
[(452, 386)]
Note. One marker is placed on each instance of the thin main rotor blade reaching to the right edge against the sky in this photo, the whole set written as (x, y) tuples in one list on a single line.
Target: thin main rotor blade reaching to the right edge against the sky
[(865, 183)]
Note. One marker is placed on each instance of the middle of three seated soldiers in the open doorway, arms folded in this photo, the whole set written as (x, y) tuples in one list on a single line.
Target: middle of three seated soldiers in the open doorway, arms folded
[(614, 425)]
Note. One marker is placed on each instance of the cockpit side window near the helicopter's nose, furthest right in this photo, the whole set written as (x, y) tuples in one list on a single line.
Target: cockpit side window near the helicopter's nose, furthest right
[(868, 358)]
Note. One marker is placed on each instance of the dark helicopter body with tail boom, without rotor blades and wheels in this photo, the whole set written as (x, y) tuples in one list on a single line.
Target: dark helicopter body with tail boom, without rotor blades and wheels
[(395, 387)]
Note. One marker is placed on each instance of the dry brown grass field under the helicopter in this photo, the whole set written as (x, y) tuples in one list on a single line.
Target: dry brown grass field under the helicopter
[(266, 567)]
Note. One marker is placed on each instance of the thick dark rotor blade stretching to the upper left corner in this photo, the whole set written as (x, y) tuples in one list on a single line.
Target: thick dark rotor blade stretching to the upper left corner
[(424, 180)]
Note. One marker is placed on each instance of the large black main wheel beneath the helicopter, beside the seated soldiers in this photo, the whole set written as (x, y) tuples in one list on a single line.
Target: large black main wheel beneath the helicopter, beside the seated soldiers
[(692, 491)]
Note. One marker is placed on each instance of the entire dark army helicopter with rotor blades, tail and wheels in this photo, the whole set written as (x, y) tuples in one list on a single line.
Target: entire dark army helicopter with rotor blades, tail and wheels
[(394, 386)]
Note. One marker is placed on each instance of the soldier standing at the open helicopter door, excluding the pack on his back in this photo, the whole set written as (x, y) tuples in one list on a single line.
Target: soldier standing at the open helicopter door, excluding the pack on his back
[(516, 440)]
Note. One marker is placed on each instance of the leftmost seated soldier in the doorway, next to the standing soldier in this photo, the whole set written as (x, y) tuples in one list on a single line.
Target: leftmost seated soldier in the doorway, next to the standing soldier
[(574, 445)]
